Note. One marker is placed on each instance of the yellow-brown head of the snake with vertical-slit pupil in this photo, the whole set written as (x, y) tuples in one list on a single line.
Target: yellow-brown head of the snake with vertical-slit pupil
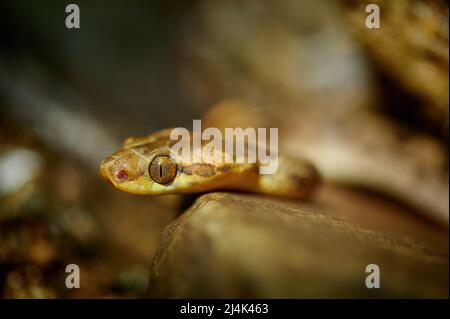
[(150, 166)]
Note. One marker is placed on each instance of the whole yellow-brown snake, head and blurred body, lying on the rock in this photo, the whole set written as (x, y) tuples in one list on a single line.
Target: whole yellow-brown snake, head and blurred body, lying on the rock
[(147, 165)]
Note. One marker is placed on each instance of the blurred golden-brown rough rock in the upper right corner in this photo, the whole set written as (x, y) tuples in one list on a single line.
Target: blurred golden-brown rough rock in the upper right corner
[(412, 31)]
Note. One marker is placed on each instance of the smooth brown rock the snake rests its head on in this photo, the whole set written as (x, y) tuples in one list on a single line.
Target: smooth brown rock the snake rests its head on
[(236, 246)]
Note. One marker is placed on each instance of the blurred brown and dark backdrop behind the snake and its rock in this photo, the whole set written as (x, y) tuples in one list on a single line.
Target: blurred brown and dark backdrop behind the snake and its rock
[(368, 106)]
